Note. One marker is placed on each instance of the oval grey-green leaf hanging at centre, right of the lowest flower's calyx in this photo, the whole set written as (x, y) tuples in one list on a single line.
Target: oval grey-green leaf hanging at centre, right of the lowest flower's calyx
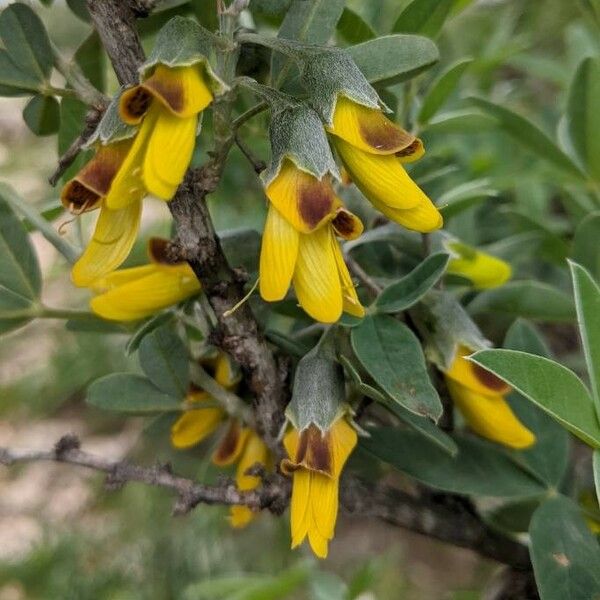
[(393, 357)]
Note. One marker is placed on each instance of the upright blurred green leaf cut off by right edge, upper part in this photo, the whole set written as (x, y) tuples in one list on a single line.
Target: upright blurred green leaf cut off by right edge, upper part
[(583, 117)]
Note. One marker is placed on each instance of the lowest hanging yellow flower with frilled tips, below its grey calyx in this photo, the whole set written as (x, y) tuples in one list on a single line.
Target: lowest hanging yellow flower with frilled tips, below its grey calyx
[(316, 460)]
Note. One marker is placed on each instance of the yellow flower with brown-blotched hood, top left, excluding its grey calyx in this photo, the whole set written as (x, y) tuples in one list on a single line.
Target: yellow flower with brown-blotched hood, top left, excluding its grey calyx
[(167, 105)]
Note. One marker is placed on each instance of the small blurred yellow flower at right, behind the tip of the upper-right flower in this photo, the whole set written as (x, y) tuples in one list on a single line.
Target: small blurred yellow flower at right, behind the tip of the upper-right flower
[(484, 270)]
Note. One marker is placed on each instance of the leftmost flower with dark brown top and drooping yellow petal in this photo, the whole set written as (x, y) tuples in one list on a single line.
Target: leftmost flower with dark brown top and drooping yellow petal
[(116, 230)]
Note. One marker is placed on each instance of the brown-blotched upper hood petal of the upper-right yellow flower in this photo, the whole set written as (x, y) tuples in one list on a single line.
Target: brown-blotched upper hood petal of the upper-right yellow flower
[(368, 128)]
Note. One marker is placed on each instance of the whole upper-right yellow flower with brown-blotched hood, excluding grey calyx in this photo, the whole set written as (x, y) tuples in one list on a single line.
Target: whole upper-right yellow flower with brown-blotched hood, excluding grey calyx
[(373, 149)]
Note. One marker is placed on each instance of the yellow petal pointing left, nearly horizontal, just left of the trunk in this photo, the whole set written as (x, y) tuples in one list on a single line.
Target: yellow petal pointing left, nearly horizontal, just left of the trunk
[(147, 295)]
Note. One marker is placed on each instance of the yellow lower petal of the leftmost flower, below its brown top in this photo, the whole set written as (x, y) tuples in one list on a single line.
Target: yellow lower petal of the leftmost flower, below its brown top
[(114, 236)]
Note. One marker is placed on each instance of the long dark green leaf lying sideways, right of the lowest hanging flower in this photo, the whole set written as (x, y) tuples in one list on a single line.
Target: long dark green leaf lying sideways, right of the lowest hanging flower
[(479, 469)]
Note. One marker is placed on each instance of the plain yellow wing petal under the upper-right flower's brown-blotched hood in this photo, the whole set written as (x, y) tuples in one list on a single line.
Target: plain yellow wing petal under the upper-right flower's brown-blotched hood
[(381, 178)]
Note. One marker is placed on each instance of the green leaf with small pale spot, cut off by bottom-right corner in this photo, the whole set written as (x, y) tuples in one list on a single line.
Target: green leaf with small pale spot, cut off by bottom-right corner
[(565, 554)]
